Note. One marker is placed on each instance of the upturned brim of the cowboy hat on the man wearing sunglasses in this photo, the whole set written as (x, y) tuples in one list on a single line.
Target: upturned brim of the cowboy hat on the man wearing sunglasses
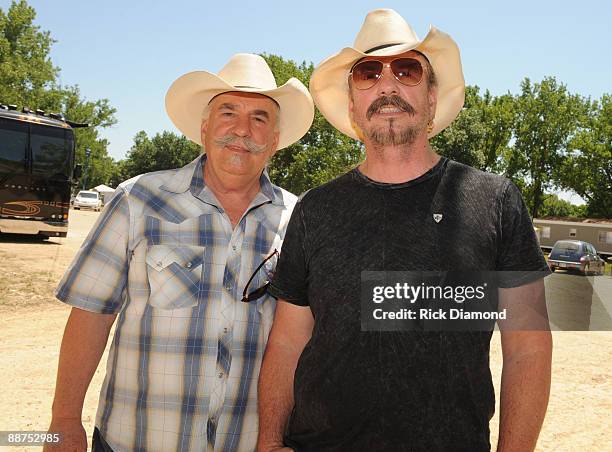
[(330, 90)]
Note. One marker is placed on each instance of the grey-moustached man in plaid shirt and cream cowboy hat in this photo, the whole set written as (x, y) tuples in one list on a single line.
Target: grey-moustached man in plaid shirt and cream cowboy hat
[(182, 259)]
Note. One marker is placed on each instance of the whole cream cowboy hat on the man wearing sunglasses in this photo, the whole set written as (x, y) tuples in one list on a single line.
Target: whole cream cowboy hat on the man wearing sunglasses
[(383, 33)]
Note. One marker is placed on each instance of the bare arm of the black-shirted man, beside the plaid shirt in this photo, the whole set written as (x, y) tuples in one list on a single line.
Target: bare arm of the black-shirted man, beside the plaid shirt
[(290, 332)]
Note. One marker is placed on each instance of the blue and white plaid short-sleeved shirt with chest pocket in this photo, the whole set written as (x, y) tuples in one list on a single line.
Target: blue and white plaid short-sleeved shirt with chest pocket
[(184, 363)]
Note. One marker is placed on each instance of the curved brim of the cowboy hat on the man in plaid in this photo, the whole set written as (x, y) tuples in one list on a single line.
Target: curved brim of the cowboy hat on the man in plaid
[(189, 95)]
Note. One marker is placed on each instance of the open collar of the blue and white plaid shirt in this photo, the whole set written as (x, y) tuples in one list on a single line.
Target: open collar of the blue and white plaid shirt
[(190, 177)]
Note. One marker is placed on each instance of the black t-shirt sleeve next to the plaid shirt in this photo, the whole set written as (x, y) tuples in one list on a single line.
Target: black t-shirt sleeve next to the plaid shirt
[(291, 275)]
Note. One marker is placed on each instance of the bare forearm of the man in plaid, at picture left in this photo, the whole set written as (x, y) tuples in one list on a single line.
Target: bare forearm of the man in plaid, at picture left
[(82, 347)]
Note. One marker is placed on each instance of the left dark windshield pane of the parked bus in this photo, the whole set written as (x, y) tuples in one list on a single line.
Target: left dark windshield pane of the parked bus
[(13, 143)]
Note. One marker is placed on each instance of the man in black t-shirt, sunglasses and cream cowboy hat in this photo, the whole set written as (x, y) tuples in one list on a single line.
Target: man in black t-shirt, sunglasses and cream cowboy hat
[(327, 382)]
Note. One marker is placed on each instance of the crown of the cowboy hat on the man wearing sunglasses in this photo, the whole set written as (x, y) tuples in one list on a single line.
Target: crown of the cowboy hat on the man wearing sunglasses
[(382, 28)]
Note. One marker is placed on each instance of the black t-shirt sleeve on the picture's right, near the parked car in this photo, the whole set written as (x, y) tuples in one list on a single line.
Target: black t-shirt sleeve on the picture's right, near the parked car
[(519, 260)]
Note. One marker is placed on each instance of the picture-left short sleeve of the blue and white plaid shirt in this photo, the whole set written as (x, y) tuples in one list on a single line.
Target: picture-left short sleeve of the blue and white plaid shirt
[(96, 279)]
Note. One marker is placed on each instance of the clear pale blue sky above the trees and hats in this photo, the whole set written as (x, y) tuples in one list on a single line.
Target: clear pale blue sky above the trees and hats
[(131, 51)]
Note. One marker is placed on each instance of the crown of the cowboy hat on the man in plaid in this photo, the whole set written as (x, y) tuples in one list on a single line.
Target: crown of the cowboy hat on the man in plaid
[(246, 70)]
